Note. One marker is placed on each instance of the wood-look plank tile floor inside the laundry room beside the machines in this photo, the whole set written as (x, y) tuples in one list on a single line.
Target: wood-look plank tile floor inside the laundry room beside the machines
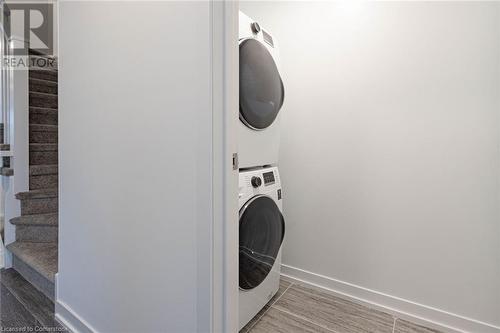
[(299, 307)]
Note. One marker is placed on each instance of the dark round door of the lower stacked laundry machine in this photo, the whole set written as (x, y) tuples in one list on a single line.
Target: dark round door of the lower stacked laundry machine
[(262, 229)]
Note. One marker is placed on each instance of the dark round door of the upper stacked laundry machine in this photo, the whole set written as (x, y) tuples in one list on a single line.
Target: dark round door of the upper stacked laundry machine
[(261, 88)]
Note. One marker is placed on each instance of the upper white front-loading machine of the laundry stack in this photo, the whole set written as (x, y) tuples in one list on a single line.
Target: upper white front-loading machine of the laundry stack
[(261, 95)]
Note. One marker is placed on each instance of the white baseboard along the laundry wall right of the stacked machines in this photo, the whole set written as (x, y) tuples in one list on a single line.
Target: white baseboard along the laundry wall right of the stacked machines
[(398, 307)]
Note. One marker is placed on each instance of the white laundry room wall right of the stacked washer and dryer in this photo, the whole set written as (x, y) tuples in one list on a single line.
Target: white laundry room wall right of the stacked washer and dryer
[(390, 150)]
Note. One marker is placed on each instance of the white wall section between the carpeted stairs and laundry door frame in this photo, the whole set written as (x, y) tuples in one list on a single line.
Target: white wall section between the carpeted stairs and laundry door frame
[(135, 166)]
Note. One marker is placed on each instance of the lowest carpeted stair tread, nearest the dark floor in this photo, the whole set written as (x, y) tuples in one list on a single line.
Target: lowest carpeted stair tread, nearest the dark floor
[(42, 257)]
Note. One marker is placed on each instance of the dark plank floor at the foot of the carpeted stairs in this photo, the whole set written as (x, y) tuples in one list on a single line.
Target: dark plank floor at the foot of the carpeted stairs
[(23, 308)]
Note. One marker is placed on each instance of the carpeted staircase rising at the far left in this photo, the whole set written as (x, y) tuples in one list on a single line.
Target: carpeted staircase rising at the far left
[(35, 249)]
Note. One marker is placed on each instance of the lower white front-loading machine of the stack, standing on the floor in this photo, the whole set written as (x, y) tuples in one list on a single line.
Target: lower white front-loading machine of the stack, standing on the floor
[(261, 230)]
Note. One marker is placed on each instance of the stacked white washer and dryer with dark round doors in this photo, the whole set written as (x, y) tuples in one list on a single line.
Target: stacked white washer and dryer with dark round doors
[(261, 223)]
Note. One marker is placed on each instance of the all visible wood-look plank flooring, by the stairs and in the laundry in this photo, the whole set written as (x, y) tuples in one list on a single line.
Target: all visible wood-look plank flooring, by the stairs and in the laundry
[(295, 308)]
